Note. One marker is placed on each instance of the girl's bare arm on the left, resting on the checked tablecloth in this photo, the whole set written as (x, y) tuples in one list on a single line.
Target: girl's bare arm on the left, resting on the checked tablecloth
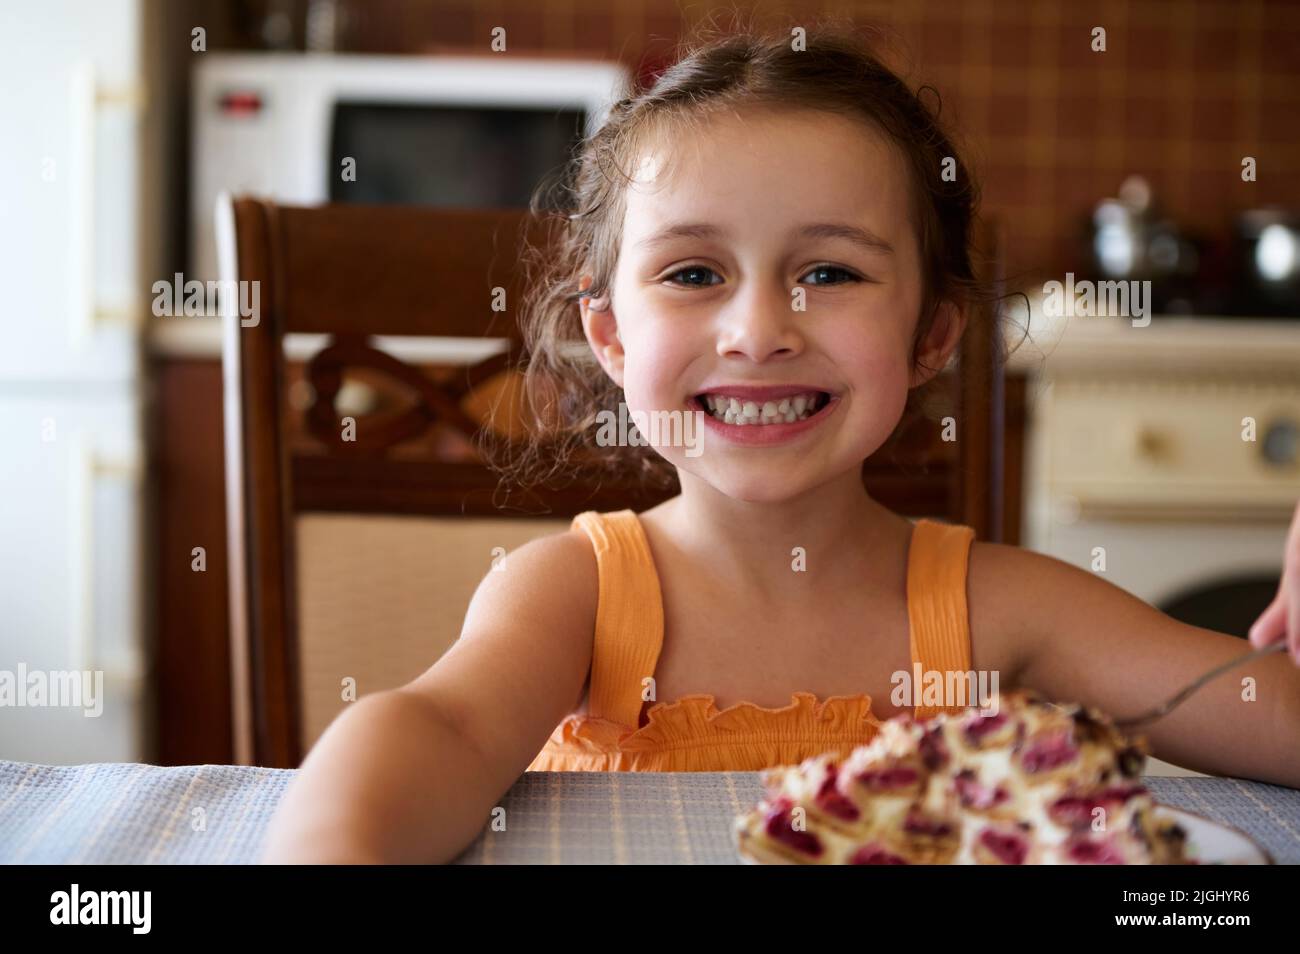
[(411, 775)]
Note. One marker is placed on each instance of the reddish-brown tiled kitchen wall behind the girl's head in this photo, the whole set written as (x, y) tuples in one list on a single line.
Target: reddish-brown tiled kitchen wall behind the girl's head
[(1182, 93)]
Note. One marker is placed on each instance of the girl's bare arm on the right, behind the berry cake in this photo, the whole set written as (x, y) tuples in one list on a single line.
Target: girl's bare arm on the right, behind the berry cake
[(1082, 639)]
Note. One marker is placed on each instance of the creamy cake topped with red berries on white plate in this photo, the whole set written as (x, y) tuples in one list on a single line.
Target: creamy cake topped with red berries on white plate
[(1025, 782)]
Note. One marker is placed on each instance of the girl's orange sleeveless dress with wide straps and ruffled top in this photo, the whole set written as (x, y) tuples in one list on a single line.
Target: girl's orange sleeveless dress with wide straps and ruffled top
[(691, 735)]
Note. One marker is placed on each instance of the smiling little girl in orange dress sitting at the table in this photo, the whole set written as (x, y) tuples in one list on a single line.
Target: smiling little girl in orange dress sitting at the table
[(786, 258)]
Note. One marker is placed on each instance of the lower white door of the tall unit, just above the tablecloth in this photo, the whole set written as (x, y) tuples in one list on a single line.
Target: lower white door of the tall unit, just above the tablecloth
[(71, 509)]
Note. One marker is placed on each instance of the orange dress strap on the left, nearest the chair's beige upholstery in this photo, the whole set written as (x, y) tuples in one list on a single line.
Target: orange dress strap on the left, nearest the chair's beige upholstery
[(629, 615)]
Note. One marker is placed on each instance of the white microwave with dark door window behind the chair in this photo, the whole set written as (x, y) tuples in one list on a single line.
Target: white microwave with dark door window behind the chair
[(450, 131)]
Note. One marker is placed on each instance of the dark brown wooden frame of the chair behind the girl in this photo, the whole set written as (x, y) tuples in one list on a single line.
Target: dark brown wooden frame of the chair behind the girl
[(352, 274)]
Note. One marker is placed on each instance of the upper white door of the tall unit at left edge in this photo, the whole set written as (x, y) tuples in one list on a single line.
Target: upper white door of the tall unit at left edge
[(72, 98)]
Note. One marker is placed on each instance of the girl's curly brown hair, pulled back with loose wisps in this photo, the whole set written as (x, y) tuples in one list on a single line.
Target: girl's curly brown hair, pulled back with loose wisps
[(582, 215)]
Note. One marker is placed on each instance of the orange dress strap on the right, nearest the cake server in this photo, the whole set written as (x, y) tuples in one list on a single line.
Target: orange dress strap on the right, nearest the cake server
[(938, 561)]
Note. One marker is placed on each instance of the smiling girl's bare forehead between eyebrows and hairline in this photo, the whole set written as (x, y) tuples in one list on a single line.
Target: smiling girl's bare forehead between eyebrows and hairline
[(757, 172)]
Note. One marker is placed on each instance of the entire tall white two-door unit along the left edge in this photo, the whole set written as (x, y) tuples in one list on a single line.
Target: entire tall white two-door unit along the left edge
[(72, 102)]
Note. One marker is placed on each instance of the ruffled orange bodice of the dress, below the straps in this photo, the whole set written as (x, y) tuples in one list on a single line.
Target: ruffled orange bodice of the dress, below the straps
[(692, 735)]
